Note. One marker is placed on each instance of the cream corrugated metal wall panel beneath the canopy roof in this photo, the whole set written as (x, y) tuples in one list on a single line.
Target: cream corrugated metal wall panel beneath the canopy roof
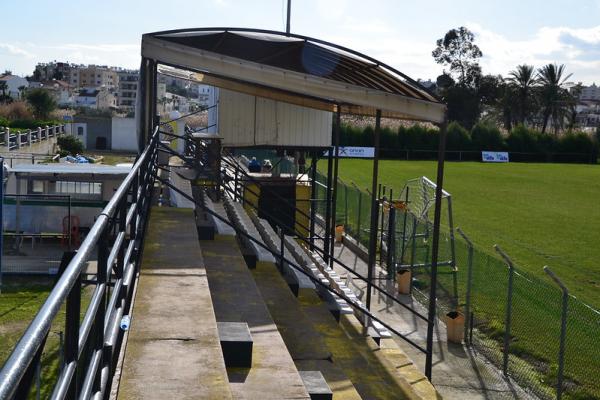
[(246, 120)]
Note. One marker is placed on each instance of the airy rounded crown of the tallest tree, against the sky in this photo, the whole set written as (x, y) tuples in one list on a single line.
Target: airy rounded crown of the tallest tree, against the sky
[(457, 51)]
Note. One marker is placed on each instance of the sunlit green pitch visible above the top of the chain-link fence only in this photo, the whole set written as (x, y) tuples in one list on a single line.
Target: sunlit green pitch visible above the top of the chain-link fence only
[(540, 214)]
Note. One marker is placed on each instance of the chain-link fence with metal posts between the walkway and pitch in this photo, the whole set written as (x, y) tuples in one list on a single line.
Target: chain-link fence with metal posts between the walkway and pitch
[(504, 307)]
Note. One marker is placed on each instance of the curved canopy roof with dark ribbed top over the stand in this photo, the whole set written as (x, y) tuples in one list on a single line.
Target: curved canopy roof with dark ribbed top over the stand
[(293, 68)]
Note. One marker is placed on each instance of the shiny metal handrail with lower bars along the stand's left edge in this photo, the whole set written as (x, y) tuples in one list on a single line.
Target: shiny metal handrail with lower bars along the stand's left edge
[(31, 343)]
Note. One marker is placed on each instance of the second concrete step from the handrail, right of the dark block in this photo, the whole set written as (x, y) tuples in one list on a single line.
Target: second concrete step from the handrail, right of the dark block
[(236, 298)]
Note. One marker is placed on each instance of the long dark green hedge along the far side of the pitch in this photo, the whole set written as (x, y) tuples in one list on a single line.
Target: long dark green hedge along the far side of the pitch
[(524, 144)]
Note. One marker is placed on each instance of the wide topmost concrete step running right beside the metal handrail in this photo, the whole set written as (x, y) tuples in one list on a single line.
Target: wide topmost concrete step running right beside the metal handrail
[(173, 349)]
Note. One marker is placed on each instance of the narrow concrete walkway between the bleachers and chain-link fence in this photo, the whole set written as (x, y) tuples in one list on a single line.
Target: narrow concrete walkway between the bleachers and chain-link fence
[(458, 373)]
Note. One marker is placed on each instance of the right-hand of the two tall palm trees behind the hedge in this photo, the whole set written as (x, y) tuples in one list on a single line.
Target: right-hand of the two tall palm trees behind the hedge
[(554, 98)]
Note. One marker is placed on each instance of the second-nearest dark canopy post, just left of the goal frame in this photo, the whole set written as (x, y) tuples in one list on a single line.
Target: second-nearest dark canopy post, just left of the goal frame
[(374, 211)]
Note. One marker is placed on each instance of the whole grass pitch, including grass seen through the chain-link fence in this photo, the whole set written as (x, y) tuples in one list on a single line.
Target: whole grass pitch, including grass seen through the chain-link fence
[(540, 214)]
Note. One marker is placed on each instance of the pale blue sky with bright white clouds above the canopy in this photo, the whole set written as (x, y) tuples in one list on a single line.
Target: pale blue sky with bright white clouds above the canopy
[(400, 33)]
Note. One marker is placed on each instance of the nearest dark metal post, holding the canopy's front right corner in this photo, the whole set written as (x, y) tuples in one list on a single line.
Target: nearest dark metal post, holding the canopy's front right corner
[(431, 317)]
